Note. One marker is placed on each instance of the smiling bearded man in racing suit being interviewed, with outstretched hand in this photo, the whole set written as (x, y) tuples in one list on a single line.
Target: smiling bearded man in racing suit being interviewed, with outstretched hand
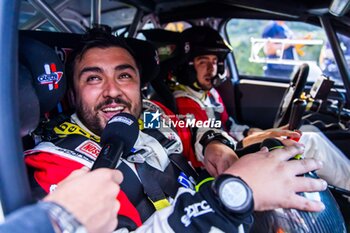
[(160, 192)]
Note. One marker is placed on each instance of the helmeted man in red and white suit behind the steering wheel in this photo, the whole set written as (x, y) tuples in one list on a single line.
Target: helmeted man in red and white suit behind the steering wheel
[(196, 95)]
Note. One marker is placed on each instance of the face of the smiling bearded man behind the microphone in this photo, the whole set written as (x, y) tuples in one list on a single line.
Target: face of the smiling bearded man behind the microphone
[(106, 82)]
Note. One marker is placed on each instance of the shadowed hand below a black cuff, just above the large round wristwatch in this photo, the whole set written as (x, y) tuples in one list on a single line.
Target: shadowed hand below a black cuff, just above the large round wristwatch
[(218, 157)]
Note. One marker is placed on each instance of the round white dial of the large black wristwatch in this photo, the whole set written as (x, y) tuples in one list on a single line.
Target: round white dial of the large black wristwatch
[(233, 194)]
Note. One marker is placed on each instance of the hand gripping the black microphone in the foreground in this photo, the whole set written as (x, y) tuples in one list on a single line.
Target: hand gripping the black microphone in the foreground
[(90, 197)]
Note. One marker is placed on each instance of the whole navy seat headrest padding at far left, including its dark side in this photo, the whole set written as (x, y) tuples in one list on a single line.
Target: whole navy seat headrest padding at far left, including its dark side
[(42, 83)]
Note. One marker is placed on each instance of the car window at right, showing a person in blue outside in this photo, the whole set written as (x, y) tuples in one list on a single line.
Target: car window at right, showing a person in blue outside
[(274, 49)]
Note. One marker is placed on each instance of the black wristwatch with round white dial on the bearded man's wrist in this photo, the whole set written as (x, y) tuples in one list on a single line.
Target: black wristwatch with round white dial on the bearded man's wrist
[(233, 194)]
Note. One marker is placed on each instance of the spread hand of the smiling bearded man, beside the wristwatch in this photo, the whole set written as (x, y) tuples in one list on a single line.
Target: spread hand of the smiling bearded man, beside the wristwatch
[(274, 181)]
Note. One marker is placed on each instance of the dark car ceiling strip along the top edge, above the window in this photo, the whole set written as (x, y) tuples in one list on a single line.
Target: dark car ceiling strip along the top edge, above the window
[(178, 9)]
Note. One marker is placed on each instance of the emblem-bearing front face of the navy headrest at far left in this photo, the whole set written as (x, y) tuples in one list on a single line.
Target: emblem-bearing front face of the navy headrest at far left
[(46, 71)]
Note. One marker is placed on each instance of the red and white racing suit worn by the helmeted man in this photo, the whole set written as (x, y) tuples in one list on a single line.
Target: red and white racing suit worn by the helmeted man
[(205, 105)]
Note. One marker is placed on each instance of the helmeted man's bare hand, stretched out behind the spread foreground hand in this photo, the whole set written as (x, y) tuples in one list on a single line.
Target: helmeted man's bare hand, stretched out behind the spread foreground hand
[(257, 136)]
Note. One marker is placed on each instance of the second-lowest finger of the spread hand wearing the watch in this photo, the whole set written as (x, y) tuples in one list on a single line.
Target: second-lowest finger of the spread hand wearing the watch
[(307, 184)]
